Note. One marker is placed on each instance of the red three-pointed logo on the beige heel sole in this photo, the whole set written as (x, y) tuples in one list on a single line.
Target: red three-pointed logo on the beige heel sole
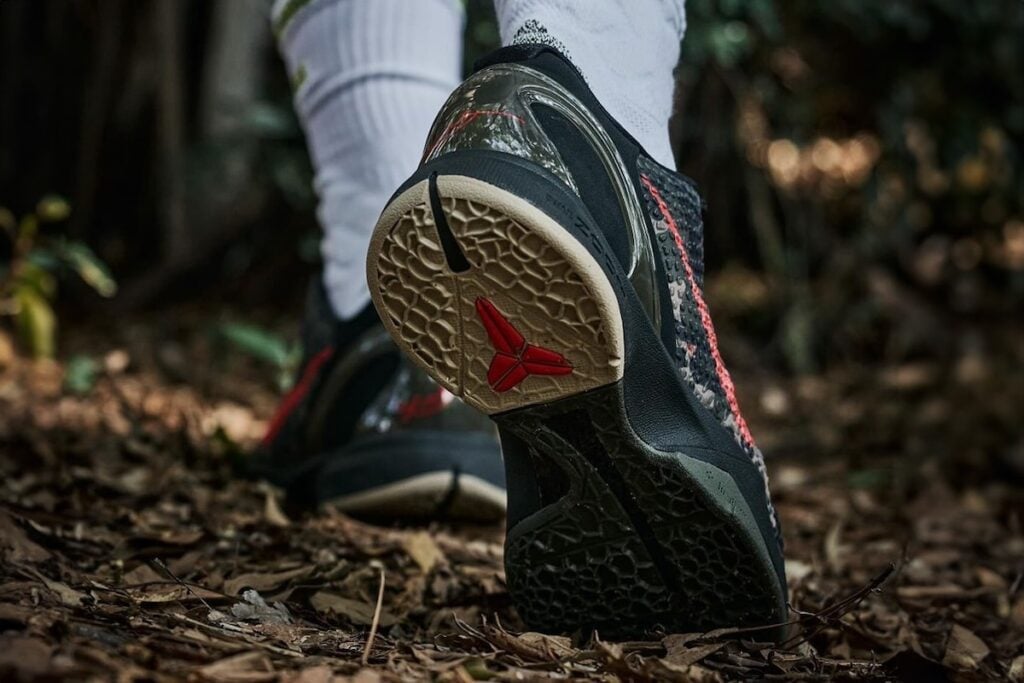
[(516, 360)]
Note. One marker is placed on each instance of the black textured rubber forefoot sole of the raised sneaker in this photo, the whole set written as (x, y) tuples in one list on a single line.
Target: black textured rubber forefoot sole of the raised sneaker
[(644, 541)]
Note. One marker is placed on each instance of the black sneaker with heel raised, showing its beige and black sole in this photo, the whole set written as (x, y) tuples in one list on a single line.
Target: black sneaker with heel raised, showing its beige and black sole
[(544, 269)]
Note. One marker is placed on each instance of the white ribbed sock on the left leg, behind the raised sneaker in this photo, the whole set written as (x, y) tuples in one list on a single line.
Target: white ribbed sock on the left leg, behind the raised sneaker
[(372, 75)]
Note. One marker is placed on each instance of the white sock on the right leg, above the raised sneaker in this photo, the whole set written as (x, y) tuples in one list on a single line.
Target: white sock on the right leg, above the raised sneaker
[(627, 51)]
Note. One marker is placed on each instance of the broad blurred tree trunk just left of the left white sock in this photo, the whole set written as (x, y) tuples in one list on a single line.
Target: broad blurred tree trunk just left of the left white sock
[(210, 207)]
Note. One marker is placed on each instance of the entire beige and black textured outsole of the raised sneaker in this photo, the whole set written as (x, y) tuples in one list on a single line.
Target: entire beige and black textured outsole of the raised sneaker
[(643, 540)]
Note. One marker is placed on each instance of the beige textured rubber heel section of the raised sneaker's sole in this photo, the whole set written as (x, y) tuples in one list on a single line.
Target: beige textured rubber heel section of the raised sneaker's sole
[(530, 269)]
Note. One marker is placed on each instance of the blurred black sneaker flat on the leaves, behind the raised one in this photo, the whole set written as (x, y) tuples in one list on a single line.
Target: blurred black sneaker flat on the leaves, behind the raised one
[(365, 431)]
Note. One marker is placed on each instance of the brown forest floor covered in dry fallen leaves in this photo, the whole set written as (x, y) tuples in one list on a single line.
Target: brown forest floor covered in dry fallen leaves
[(131, 551)]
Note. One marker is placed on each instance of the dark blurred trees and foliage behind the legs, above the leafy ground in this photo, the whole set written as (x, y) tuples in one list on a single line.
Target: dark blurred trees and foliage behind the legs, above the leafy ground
[(862, 160)]
